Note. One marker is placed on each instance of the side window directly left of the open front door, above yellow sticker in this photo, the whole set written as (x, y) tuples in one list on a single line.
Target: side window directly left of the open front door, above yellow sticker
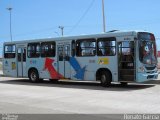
[(106, 47)]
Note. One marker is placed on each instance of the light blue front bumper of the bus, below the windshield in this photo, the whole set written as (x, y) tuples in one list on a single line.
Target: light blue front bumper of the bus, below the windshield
[(146, 77)]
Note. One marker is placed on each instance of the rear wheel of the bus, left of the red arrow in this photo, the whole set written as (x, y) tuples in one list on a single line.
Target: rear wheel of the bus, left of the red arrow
[(34, 76)]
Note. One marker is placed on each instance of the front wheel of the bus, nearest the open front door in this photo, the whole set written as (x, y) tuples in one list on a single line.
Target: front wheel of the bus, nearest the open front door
[(105, 79)]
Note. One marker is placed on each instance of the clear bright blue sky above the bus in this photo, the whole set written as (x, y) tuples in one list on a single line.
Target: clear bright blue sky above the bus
[(33, 19)]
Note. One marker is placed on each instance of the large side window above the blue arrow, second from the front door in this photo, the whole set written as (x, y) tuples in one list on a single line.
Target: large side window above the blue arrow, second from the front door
[(86, 47)]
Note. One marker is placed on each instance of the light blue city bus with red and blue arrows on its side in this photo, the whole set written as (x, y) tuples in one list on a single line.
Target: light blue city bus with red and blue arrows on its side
[(115, 56)]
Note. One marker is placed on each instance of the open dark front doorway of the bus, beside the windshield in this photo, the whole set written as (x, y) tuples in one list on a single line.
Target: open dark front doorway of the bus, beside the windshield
[(126, 61)]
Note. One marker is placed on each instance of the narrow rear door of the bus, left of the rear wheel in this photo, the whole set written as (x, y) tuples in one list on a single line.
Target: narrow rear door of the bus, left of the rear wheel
[(21, 62)]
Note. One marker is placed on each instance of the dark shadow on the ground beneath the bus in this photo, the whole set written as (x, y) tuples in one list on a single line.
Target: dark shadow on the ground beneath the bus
[(79, 85)]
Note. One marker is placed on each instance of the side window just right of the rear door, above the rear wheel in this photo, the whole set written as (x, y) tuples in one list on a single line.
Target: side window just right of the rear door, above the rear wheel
[(33, 50)]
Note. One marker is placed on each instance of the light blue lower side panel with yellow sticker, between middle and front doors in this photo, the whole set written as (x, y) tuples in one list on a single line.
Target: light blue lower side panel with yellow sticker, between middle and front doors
[(87, 67)]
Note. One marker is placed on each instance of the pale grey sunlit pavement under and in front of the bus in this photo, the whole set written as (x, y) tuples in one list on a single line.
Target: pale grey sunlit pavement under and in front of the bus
[(20, 96)]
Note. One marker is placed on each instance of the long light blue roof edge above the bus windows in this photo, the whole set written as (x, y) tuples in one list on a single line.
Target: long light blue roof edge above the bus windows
[(114, 33)]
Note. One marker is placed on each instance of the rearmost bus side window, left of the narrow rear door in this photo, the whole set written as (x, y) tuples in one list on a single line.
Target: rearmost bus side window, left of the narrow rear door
[(9, 51)]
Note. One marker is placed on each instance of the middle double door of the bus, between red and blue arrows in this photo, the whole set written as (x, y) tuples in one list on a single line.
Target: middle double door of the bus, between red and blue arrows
[(64, 67)]
